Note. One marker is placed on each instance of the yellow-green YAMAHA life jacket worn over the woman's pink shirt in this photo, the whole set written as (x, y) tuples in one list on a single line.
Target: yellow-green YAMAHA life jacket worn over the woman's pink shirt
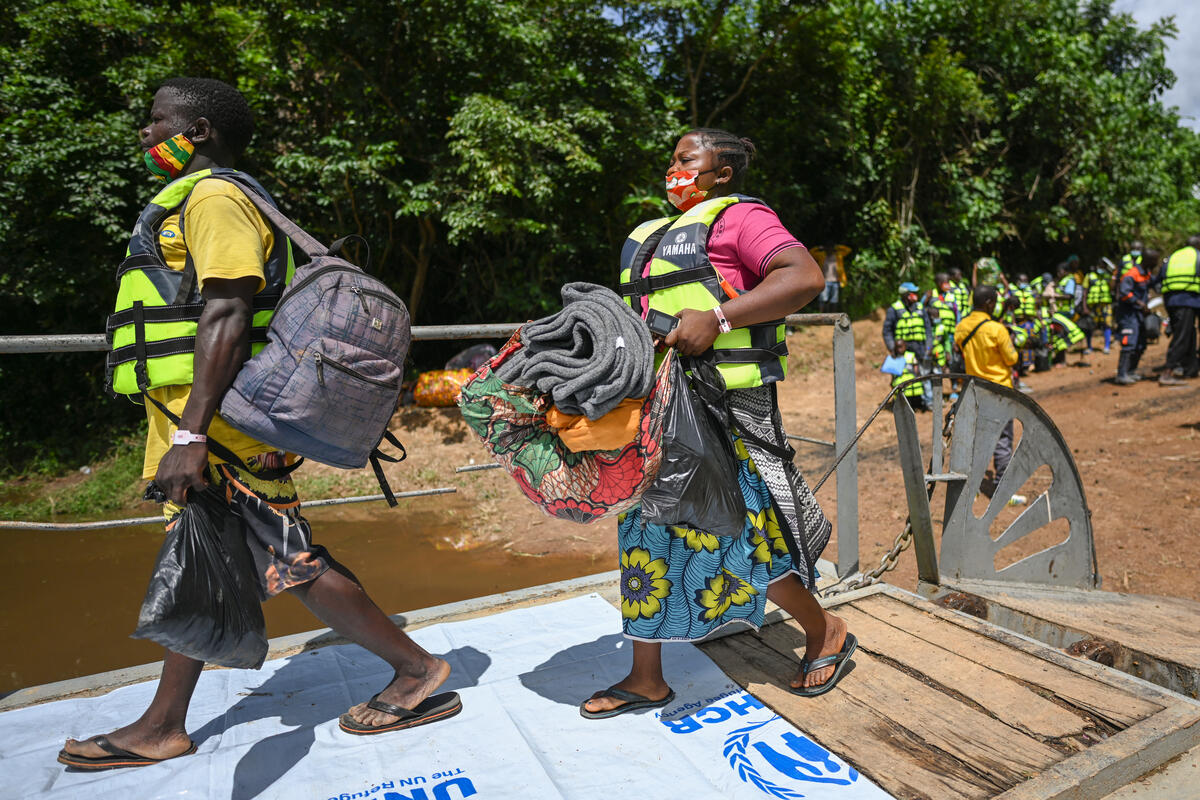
[(682, 276)]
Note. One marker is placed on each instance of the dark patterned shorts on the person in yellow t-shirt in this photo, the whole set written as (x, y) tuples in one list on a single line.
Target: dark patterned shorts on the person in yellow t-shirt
[(279, 538)]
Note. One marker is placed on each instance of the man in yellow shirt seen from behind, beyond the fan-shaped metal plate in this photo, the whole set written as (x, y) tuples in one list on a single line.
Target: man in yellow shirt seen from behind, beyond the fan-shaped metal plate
[(988, 353)]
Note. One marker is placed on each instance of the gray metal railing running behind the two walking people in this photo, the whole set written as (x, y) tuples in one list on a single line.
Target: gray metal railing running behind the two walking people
[(845, 419)]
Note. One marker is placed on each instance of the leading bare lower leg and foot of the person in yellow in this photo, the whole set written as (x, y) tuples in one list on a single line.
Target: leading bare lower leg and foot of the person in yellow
[(160, 732)]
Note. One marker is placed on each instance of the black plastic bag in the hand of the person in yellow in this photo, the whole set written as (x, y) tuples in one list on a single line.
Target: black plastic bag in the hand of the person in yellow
[(203, 600)]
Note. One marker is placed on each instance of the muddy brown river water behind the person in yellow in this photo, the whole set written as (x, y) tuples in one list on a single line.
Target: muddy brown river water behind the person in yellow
[(70, 600)]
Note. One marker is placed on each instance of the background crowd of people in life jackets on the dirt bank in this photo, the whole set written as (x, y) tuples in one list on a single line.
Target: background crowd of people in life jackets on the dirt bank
[(1054, 315)]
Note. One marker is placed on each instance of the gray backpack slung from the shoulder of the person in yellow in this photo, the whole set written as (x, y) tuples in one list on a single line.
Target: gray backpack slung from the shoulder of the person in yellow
[(328, 381)]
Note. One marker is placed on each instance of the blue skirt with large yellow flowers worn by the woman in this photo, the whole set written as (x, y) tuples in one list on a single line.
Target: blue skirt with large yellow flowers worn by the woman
[(682, 585)]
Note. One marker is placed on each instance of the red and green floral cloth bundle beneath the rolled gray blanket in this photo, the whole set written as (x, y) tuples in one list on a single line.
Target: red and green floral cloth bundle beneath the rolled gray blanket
[(579, 486)]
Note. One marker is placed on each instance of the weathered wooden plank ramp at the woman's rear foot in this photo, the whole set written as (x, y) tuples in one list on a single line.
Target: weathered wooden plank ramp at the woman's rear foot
[(943, 706)]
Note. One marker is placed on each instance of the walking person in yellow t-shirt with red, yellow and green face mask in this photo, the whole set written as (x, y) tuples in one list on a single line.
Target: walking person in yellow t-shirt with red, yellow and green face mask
[(199, 124)]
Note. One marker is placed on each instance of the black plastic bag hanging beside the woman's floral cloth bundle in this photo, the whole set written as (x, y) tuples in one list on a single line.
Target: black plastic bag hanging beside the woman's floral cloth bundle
[(698, 484)]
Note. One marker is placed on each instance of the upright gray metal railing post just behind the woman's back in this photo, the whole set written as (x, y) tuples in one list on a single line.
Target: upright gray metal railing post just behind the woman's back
[(845, 405)]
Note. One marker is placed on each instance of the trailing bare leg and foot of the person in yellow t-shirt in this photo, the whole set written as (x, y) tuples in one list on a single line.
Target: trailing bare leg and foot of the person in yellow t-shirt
[(339, 601)]
